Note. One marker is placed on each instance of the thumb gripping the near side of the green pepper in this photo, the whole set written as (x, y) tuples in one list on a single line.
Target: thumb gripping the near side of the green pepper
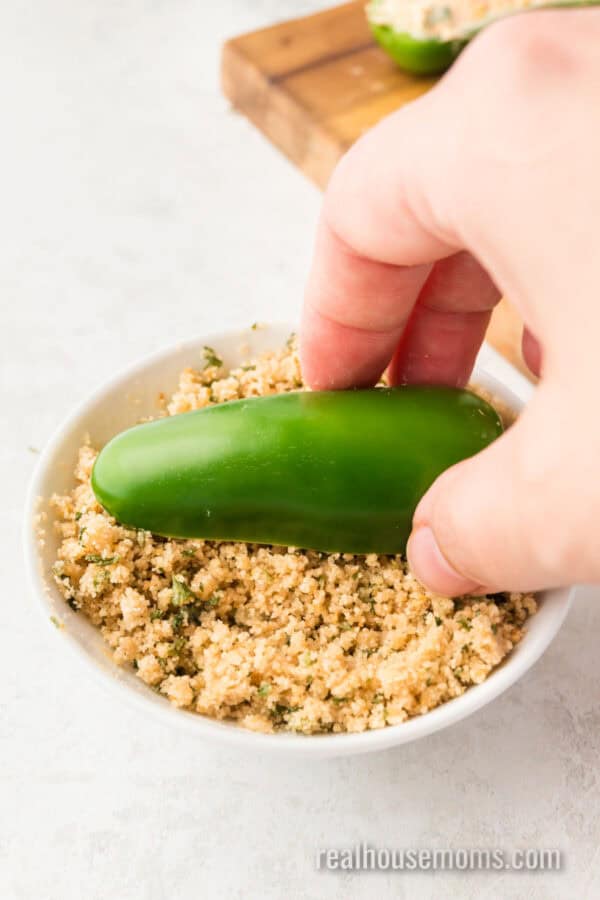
[(506, 519)]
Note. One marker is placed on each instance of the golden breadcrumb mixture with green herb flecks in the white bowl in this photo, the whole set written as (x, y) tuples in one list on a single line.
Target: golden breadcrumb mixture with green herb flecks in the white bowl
[(273, 638)]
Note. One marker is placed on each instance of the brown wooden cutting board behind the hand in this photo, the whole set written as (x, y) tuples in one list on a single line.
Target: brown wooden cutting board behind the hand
[(313, 86)]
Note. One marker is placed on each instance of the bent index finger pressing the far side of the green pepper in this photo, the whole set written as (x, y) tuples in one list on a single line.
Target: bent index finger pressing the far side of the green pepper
[(372, 257)]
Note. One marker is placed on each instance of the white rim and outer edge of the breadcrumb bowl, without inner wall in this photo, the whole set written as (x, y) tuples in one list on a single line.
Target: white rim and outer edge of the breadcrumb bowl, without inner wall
[(111, 677)]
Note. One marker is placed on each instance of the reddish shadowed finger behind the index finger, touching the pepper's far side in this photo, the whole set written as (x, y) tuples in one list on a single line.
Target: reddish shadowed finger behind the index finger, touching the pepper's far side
[(447, 326)]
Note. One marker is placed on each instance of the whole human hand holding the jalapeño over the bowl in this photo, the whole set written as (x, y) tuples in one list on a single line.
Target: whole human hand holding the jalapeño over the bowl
[(488, 184)]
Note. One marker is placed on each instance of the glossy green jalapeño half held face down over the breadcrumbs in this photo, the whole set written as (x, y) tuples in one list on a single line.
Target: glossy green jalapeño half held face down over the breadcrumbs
[(331, 471)]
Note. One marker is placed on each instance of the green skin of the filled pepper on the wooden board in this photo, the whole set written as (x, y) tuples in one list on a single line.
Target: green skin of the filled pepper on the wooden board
[(421, 56)]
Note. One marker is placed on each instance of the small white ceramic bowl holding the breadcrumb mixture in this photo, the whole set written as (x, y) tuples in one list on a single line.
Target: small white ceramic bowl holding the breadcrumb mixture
[(119, 404)]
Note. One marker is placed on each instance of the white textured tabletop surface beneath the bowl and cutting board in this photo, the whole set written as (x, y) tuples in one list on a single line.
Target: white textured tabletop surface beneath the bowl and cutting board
[(136, 209)]
